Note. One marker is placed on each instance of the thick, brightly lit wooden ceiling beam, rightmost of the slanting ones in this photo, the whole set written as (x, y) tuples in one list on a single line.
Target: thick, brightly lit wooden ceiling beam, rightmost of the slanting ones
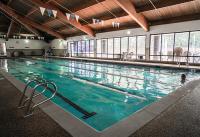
[(128, 6)]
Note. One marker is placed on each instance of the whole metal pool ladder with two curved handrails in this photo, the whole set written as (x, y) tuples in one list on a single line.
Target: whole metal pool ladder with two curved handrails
[(27, 103)]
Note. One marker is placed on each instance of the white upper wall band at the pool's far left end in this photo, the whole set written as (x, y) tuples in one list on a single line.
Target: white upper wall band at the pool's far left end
[(24, 44)]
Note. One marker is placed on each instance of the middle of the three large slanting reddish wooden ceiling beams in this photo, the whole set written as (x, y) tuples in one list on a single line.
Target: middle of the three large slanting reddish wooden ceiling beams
[(61, 16)]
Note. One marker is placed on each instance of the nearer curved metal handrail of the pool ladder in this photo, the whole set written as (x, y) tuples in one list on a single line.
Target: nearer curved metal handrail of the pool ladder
[(30, 109)]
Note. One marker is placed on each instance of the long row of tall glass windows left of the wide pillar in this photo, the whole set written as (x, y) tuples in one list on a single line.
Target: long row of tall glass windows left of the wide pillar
[(113, 48)]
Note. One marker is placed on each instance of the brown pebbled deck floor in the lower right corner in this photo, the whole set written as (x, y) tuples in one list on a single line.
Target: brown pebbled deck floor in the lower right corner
[(180, 120)]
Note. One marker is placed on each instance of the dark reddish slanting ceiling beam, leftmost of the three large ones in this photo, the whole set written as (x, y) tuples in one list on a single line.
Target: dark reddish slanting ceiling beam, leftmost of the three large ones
[(27, 22)]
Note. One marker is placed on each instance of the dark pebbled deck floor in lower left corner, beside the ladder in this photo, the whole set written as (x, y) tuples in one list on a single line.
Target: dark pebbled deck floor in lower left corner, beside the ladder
[(12, 122)]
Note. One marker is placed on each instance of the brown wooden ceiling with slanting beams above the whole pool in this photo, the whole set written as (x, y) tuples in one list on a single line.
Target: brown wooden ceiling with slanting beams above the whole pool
[(139, 13)]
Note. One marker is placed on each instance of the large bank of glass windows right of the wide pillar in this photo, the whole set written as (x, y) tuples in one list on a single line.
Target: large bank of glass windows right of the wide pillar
[(178, 47)]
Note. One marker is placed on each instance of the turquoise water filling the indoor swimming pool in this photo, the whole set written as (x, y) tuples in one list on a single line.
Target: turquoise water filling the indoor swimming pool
[(113, 92)]
